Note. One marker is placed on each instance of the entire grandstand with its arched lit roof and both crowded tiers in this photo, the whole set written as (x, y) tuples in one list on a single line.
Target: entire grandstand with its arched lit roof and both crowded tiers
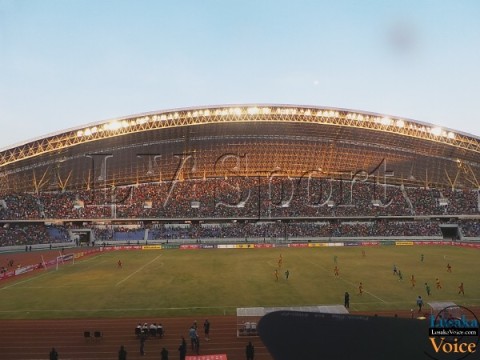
[(262, 172)]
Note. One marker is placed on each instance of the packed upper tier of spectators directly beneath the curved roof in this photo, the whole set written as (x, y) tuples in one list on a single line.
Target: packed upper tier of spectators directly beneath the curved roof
[(242, 197)]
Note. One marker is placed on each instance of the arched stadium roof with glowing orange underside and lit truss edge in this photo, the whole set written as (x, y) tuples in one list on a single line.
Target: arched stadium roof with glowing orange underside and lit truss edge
[(244, 140)]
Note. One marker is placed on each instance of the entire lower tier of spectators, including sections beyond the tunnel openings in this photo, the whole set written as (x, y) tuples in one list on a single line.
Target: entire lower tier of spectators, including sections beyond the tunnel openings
[(31, 234)]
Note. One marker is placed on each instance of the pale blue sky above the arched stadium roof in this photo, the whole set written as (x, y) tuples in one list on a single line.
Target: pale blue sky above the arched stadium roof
[(67, 63)]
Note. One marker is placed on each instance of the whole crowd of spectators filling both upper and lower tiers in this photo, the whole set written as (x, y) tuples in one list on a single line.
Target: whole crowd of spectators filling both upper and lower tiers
[(241, 207)]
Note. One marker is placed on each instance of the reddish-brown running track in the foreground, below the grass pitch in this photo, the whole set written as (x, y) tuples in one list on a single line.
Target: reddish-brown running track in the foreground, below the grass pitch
[(33, 339)]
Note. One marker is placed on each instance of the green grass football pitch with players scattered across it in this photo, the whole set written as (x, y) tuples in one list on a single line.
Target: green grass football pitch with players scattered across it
[(215, 281)]
